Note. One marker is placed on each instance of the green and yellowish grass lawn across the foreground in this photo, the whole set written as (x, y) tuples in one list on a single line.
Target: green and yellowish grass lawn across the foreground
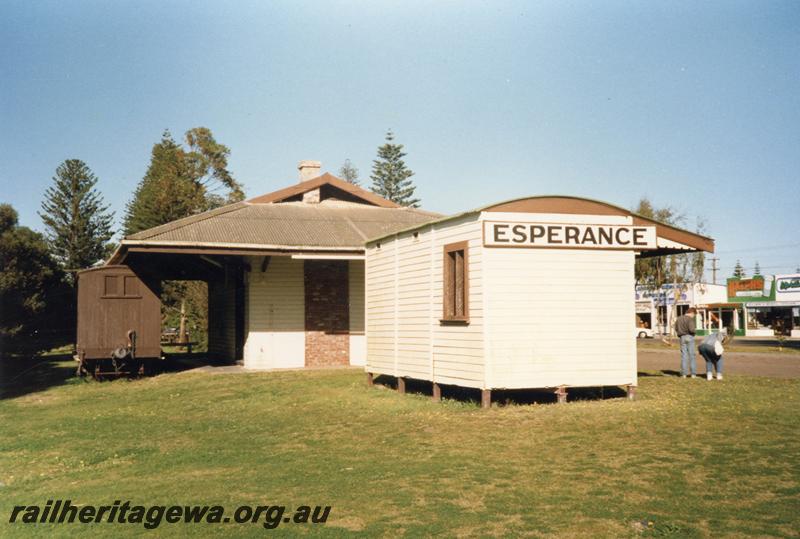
[(695, 458)]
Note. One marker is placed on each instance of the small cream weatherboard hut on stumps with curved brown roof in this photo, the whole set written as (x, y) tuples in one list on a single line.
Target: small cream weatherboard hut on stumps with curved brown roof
[(497, 297)]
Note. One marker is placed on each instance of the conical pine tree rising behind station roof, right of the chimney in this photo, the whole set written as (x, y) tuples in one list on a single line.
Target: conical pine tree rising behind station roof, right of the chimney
[(391, 179)]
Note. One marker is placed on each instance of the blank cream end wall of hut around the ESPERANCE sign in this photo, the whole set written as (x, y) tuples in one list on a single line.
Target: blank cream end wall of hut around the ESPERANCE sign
[(559, 316)]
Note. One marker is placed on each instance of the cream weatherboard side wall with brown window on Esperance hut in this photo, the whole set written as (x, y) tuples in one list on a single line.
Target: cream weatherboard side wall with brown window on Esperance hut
[(404, 306)]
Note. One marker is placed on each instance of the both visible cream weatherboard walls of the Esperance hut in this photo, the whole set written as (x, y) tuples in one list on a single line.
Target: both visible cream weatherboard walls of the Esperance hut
[(538, 317)]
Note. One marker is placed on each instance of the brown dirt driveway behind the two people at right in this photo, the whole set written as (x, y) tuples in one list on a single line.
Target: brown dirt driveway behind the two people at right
[(771, 365)]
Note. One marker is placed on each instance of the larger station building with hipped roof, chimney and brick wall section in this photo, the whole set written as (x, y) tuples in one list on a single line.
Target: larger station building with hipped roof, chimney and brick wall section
[(285, 270)]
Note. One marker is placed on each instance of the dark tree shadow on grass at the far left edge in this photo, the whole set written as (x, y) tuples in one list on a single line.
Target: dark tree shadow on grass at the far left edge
[(21, 376)]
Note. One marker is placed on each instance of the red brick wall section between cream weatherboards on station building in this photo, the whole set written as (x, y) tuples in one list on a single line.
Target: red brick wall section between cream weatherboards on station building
[(327, 313)]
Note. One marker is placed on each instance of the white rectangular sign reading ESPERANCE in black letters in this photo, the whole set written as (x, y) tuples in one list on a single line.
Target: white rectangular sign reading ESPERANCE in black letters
[(568, 236)]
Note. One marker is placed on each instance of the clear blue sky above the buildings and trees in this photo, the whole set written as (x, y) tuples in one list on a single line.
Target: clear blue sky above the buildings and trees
[(695, 105)]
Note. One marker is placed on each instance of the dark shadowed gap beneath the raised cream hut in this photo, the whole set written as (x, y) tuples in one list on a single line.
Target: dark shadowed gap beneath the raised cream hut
[(505, 397)]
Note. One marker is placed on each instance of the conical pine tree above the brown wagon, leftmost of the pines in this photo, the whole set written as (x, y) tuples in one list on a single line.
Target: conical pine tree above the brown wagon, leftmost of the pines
[(77, 222)]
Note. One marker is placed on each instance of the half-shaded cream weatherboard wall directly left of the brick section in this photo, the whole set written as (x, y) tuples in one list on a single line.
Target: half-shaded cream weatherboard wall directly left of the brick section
[(275, 315)]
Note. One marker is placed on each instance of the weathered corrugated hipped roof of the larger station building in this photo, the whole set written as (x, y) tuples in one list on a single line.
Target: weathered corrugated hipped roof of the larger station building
[(330, 223)]
